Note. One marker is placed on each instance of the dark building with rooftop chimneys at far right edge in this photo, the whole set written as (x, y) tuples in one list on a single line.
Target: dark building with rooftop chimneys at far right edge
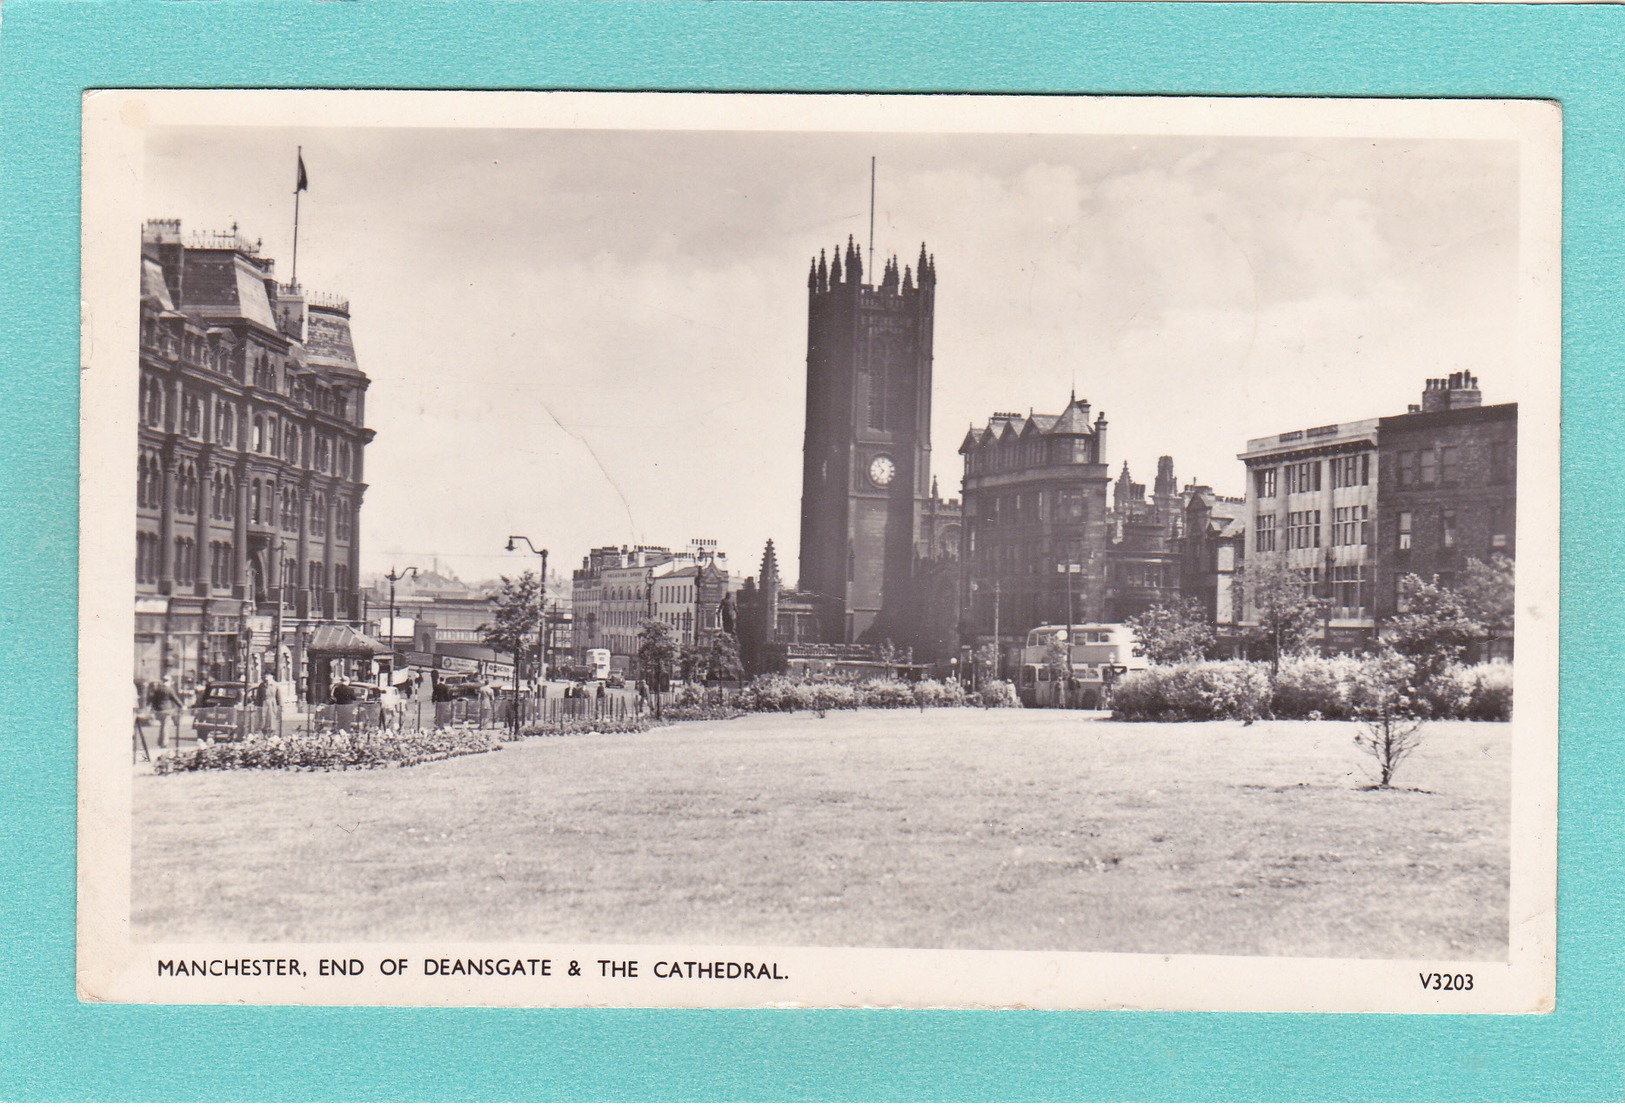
[(1449, 487)]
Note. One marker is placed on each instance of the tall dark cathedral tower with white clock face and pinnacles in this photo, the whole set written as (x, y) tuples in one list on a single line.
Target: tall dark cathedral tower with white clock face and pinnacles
[(867, 453)]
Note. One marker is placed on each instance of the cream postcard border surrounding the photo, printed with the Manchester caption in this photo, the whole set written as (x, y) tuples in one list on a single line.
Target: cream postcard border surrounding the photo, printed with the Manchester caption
[(113, 968)]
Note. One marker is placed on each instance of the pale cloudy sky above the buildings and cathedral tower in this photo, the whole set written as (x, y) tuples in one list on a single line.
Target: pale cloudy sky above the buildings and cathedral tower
[(600, 337)]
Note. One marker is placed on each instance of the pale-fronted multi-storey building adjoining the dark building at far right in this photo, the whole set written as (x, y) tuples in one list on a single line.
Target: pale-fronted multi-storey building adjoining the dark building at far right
[(1312, 503)]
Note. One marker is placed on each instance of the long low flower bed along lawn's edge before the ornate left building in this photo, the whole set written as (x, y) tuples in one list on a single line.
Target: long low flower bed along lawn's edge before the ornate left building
[(332, 750)]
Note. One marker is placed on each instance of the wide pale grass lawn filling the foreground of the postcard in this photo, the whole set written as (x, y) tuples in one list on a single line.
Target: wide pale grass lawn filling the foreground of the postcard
[(964, 830)]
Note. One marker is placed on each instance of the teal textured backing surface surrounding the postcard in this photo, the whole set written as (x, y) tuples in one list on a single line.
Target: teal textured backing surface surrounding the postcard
[(54, 1048)]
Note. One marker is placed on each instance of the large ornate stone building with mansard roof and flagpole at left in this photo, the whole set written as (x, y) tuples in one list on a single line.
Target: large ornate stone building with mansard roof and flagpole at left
[(249, 467)]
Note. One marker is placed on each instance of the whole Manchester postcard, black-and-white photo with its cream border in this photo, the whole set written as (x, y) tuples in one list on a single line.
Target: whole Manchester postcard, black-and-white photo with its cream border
[(683, 550)]
